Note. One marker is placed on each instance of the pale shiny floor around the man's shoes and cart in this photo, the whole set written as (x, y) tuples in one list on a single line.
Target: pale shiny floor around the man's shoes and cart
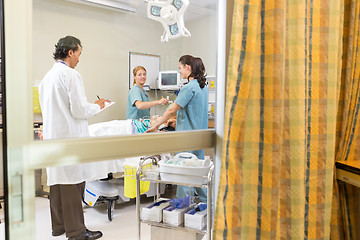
[(123, 225)]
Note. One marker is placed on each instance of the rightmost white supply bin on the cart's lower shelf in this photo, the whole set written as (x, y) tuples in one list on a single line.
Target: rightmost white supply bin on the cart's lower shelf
[(194, 218)]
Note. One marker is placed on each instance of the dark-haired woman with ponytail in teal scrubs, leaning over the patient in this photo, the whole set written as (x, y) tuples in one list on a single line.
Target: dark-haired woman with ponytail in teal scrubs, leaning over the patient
[(190, 108)]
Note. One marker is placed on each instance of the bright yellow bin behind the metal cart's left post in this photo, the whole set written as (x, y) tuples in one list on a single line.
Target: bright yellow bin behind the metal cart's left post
[(130, 180)]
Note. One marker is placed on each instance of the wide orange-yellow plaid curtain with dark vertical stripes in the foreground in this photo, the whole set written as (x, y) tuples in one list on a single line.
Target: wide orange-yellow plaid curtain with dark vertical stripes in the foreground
[(280, 120)]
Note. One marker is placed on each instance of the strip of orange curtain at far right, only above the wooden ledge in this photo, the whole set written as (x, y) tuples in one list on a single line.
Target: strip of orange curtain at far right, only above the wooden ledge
[(348, 137)]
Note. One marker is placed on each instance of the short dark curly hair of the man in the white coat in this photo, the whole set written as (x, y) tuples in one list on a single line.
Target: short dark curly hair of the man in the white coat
[(64, 45)]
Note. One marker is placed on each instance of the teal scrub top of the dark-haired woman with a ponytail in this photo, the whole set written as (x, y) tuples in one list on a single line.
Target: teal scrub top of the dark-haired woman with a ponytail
[(193, 114)]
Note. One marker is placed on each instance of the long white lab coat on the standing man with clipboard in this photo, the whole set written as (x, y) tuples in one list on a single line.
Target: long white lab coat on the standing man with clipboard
[(65, 111)]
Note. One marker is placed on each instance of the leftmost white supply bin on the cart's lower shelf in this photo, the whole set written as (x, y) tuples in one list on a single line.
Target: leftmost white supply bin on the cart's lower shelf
[(153, 212)]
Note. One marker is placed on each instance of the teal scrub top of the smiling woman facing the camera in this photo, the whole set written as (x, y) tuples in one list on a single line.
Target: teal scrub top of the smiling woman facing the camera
[(136, 94)]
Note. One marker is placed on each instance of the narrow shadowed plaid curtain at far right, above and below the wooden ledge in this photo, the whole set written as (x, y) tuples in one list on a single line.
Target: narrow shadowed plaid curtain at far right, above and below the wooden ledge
[(345, 219)]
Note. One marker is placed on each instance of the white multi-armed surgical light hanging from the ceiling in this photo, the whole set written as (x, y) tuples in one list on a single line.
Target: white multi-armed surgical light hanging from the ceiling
[(170, 14)]
